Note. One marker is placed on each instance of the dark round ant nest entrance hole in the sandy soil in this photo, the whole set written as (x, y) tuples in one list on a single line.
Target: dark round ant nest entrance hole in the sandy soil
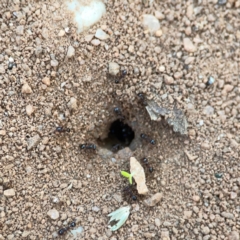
[(120, 135)]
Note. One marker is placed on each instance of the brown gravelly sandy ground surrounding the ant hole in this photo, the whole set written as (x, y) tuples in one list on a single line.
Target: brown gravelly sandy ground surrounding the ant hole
[(43, 87)]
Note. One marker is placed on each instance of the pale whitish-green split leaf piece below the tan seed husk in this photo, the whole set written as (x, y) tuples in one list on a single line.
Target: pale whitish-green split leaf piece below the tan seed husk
[(119, 216)]
